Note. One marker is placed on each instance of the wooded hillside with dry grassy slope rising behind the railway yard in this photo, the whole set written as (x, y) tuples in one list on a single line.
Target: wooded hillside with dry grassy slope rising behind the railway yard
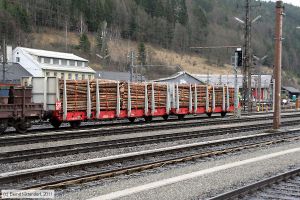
[(167, 28)]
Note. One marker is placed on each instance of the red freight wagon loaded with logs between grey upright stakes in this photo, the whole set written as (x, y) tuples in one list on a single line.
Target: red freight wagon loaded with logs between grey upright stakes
[(82, 100)]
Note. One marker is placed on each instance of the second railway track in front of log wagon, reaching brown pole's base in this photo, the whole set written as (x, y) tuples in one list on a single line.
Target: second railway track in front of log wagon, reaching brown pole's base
[(63, 150)]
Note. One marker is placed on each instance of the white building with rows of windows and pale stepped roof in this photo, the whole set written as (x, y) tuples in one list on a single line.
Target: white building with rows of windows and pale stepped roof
[(42, 63)]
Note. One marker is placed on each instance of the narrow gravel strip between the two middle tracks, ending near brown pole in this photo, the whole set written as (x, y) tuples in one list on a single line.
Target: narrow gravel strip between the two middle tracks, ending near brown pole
[(109, 152)]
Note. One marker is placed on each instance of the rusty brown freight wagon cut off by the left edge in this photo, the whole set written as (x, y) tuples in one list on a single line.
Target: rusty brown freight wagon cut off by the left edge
[(17, 109)]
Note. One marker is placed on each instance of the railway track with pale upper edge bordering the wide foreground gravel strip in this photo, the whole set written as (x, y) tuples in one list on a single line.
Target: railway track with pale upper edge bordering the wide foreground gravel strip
[(61, 175)]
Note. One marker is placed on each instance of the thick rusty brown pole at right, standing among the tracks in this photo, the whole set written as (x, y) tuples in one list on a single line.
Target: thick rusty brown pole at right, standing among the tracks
[(277, 62)]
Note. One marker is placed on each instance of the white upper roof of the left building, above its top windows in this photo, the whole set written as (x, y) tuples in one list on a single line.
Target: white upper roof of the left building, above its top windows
[(52, 54)]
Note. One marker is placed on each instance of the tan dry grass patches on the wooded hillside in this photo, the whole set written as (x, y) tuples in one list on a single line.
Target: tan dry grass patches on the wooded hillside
[(119, 50)]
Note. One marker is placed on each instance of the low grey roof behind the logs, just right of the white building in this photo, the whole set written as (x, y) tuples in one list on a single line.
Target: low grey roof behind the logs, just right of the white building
[(118, 76)]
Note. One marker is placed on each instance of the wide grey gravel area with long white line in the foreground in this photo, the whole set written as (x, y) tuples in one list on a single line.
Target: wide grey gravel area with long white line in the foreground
[(197, 188)]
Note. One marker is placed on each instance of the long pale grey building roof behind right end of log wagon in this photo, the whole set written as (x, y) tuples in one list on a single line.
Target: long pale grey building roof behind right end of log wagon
[(229, 80)]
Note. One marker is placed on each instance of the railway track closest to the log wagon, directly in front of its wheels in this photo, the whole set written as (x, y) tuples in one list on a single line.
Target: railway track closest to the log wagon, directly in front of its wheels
[(88, 133)]
